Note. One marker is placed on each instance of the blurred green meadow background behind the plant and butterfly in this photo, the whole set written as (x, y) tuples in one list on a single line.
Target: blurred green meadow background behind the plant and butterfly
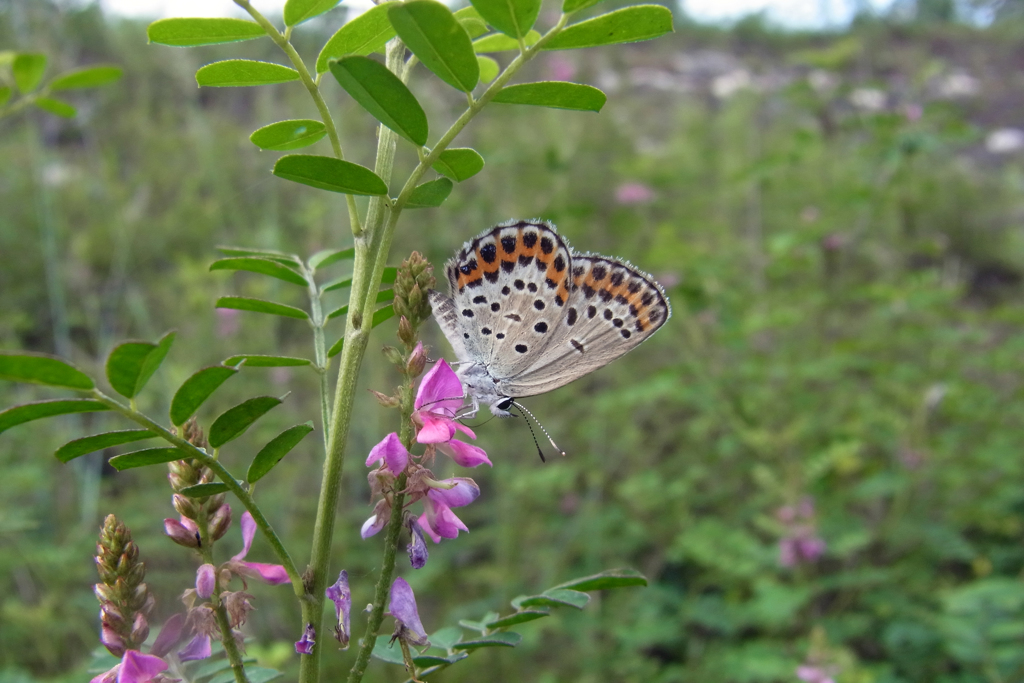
[(819, 462)]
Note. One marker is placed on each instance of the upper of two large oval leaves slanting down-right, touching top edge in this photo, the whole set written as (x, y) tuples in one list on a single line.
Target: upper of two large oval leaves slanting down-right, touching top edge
[(435, 35)]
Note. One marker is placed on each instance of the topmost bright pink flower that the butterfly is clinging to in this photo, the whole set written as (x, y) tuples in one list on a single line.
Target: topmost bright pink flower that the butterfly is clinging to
[(439, 399)]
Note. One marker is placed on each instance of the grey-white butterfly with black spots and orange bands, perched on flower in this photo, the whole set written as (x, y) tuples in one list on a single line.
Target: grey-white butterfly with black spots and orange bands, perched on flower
[(527, 315)]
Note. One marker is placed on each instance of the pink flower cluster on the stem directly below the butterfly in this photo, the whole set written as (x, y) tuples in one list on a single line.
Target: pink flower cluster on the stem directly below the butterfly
[(438, 400)]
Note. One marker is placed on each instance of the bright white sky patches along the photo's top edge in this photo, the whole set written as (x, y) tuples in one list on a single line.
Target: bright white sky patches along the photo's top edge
[(787, 13)]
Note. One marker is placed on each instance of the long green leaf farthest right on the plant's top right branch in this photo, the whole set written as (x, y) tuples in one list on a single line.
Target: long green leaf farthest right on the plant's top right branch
[(628, 25)]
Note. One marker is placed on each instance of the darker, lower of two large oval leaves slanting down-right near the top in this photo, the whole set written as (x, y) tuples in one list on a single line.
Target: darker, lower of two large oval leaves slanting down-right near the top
[(383, 96)]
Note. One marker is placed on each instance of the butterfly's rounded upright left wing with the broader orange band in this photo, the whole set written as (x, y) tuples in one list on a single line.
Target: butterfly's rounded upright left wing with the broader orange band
[(509, 289)]
